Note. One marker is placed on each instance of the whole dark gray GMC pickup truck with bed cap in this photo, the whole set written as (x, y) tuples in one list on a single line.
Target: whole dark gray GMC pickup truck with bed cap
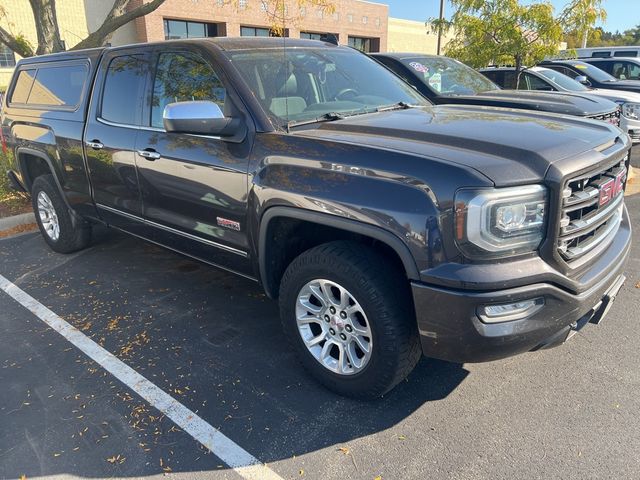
[(386, 227)]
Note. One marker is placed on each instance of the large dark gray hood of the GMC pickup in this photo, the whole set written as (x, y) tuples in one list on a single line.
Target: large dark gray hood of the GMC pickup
[(507, 146)]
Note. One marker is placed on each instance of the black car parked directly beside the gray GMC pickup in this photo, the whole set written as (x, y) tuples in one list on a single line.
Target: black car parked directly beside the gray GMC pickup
[(444, 80)]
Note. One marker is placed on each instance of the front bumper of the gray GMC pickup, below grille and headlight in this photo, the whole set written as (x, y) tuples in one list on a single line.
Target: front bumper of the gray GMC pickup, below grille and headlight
[(450, 328)]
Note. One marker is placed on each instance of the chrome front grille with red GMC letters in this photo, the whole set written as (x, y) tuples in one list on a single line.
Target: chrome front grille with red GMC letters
[(592, 206)]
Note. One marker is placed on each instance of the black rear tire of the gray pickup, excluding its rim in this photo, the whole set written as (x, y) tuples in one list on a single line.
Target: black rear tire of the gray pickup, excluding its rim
[(75, 233)]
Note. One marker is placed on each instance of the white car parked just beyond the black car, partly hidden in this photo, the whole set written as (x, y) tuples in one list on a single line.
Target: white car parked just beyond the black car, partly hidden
[(542, 78)]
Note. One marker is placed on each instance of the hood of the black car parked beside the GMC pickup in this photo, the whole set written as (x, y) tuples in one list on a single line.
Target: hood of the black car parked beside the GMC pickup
[(554, 102)]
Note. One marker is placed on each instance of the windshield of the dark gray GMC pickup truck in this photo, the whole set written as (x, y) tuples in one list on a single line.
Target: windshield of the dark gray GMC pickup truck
[(302, 84)]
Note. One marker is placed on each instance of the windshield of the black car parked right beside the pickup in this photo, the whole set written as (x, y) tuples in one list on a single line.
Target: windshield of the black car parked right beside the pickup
[(446, 76)]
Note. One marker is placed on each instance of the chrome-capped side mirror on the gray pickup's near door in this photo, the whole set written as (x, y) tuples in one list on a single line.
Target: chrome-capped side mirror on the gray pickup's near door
[(202, 117)]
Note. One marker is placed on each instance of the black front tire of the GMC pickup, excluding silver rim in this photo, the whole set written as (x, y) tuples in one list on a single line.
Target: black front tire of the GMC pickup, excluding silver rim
[(382, 291)]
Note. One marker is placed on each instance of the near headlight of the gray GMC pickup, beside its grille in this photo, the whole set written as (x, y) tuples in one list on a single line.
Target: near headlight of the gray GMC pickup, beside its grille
[(500, 222)]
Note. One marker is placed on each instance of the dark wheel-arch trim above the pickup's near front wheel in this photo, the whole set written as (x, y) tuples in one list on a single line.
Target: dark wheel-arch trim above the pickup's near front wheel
[(341, 223)]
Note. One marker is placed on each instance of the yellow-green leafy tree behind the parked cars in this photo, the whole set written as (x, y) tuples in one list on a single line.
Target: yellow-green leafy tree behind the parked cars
[(500, 31)]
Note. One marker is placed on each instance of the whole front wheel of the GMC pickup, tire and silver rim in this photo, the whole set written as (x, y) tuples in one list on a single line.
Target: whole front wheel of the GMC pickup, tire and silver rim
[(349, 314)]
